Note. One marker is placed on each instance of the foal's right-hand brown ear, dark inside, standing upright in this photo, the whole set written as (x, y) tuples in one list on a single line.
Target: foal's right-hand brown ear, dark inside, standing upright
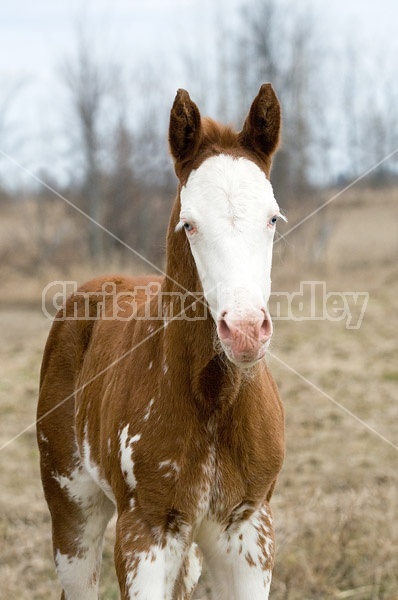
[(261, 130)]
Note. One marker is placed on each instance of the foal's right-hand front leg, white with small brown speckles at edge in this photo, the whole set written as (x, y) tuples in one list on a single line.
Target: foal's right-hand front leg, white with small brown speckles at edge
[(240, 558)]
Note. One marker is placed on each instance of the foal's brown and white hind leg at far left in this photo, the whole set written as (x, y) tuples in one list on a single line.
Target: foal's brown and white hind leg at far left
[(80, 512)]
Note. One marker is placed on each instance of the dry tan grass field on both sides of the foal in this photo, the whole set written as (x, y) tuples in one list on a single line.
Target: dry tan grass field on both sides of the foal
[(336, 504)]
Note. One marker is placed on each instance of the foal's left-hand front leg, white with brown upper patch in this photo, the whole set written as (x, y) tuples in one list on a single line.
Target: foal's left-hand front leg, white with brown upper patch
[(149, 561)]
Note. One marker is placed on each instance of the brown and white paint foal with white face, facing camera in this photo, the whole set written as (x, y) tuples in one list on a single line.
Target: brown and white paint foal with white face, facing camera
[(184, 434)]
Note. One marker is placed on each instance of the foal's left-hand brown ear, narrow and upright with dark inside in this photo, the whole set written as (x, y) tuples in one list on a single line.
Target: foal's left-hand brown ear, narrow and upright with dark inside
[(184, 128)]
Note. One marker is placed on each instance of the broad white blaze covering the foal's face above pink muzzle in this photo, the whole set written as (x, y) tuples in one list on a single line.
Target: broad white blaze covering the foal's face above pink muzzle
[(229, 202)]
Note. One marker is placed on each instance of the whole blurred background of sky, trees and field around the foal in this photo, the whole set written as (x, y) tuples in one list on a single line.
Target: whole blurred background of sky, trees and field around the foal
[(85, 95)]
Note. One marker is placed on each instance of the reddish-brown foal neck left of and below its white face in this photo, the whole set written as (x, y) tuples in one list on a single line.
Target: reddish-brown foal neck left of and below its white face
[(191, 341)]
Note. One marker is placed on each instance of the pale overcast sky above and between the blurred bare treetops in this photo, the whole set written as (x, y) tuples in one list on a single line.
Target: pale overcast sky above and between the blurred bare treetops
[(36, 36)]
